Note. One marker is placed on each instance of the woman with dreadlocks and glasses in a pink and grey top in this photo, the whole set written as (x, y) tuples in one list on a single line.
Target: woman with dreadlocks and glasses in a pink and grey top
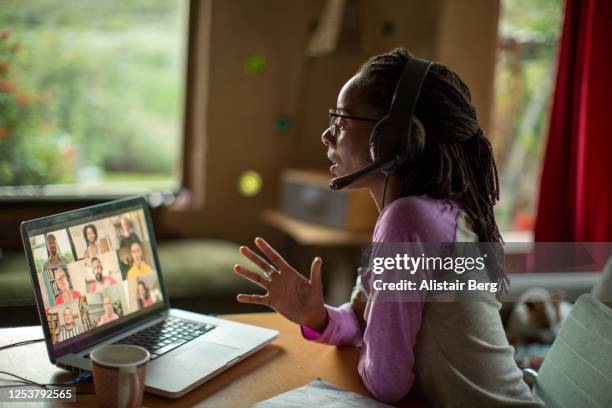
[(451, 354)]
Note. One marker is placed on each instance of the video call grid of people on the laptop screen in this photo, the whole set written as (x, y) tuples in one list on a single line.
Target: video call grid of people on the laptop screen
[(94, 271)]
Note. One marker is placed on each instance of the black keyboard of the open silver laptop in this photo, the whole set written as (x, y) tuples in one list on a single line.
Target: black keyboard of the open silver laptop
[(167, 335)]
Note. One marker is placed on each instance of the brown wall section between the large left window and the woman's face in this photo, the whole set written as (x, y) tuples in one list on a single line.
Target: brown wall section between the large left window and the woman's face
[(240, 109)]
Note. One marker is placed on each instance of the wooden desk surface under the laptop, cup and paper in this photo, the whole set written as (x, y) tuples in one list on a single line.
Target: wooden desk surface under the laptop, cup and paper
[(288, 363)]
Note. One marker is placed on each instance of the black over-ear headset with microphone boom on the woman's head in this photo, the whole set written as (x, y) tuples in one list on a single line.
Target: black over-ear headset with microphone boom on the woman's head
[(398, 137)]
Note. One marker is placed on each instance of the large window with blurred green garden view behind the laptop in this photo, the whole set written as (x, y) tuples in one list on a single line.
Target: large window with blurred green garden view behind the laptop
[(91, 96)]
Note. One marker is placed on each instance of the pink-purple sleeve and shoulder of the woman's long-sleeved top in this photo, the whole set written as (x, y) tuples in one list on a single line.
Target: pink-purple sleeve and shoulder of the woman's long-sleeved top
[(386, 362)]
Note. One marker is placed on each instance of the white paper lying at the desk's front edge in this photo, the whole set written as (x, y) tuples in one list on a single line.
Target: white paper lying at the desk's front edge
[(319, 393)]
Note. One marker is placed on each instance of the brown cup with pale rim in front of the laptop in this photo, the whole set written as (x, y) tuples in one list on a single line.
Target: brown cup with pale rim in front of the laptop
[(119, 372)]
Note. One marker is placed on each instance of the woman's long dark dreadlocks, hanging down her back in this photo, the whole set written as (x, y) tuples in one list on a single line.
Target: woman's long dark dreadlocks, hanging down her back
[(456, 161)]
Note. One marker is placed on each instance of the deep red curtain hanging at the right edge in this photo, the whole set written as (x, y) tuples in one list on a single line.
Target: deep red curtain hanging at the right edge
[(576, 186)]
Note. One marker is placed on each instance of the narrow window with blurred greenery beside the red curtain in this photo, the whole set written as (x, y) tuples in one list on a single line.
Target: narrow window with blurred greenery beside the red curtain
[(529, 31)]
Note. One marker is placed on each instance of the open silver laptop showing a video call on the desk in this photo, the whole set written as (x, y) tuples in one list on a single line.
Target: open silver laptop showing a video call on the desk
[(97, 280)]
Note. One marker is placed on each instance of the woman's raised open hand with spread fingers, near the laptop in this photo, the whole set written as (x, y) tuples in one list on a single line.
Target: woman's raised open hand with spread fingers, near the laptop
[(288, 292)]
